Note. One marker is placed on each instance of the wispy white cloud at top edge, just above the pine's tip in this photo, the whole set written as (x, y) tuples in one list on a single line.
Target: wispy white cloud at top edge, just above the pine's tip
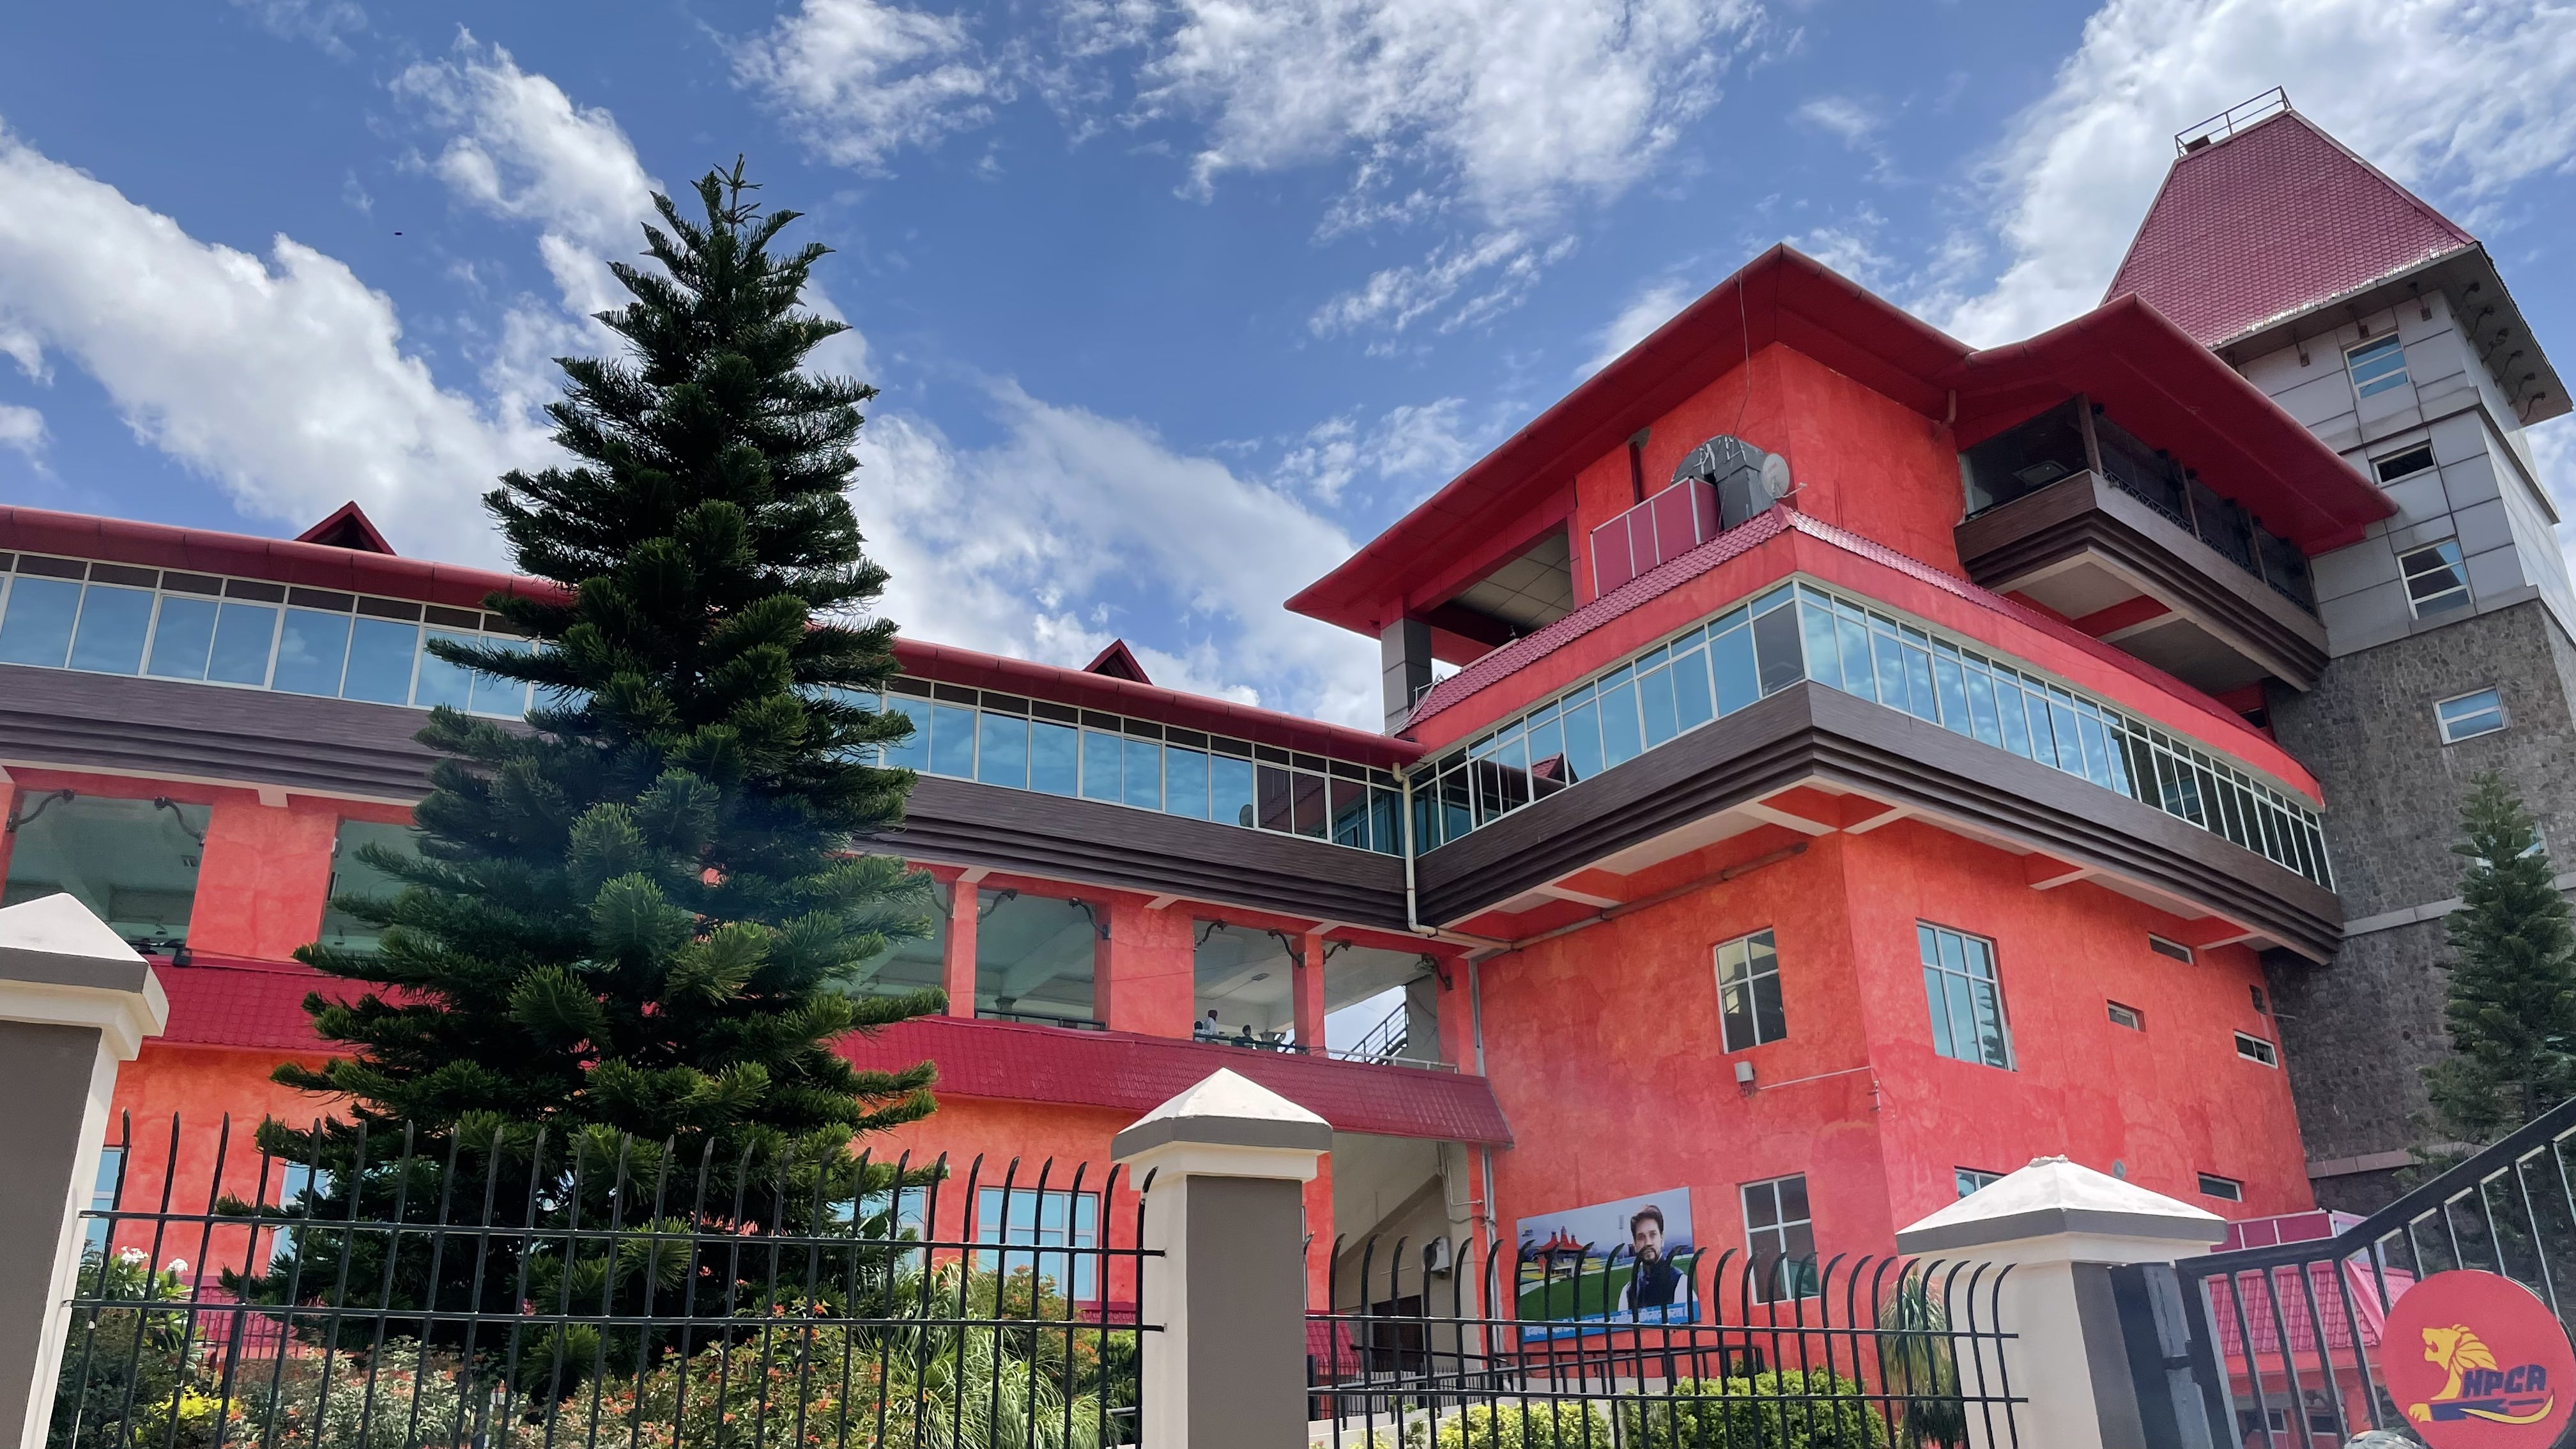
[(862, 81)]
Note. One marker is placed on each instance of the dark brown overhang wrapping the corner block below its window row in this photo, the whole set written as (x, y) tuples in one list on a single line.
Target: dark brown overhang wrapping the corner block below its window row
[(1815, 762)]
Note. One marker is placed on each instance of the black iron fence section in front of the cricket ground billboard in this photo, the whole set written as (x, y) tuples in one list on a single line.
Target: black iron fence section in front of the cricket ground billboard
[(1452, 1347)]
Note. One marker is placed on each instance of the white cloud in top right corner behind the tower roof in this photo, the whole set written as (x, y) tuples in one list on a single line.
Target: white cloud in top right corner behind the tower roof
[(2078, 171)]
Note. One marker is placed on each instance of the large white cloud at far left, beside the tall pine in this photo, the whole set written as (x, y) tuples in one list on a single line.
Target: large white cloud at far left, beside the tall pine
[(282, 378)]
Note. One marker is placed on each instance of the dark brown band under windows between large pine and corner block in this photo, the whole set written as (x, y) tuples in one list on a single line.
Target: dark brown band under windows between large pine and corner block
[(1019, 831)]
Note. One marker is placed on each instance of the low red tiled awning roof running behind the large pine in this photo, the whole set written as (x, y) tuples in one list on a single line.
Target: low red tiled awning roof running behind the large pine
[(220, 1002)]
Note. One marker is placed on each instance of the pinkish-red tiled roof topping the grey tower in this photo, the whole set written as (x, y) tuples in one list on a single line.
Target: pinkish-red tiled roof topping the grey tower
[(2273, 223)]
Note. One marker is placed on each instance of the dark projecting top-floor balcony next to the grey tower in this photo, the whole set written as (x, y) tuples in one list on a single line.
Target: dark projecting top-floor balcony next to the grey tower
[(2085, 550)]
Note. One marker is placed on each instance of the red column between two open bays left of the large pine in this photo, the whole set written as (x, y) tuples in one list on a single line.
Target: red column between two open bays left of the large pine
[(264, 878)]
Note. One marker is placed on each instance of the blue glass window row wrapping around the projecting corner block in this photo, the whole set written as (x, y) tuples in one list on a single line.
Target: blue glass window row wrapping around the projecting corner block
[(1807, 633)]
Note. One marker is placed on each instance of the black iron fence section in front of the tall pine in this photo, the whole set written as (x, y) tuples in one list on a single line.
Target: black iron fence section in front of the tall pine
[(532, 1290)]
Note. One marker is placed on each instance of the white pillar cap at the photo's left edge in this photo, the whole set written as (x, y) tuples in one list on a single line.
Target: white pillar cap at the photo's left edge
[(63, 968)]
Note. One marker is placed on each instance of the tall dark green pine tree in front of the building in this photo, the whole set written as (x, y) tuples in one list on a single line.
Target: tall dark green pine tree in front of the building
[(643, 914)]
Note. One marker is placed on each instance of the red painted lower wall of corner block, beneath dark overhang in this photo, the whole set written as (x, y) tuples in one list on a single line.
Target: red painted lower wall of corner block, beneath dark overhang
[(1609, 1056)]
